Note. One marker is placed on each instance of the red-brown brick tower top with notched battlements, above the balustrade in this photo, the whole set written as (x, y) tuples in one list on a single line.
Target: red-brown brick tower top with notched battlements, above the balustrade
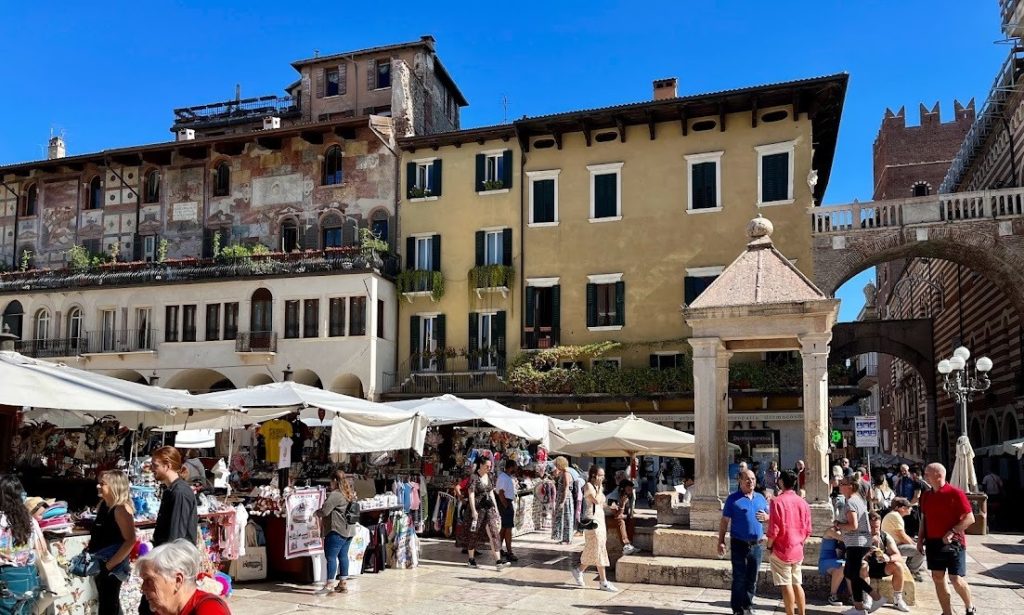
[(913, 161)]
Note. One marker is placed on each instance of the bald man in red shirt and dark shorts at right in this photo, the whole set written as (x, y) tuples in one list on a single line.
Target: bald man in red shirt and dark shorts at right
[(946, 516)]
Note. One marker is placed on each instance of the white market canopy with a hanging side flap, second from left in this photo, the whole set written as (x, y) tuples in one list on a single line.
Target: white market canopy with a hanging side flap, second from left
[(359, 425)]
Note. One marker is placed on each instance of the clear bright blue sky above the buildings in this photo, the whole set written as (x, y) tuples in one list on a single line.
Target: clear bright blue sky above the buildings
[(109, 75)]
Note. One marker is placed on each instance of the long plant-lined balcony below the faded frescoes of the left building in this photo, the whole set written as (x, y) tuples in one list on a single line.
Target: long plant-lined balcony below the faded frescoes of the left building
[(194, 270)]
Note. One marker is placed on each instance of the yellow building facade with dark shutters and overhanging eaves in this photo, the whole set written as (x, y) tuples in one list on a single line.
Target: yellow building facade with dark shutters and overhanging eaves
[(617, 218)]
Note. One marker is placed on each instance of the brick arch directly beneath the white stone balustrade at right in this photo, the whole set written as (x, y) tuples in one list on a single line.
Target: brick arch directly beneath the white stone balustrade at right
[(979, 246)]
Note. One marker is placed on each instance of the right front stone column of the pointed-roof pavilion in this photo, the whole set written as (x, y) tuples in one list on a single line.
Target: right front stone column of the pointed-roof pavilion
[(815, 352)]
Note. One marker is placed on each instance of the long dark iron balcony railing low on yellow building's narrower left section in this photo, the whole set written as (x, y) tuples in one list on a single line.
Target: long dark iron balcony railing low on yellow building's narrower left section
[(437, 374)]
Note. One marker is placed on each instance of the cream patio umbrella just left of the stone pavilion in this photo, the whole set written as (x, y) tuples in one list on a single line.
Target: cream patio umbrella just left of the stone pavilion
[(627, 437)]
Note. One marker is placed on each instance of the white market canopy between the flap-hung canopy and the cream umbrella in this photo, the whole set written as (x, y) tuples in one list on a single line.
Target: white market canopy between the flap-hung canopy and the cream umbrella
[(449, 410)]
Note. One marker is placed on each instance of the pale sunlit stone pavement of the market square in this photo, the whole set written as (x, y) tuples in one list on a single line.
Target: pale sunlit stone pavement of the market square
[(540, 584)]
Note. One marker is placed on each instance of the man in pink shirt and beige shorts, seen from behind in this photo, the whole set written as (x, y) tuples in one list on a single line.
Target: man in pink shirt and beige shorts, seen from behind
[(789, 528)]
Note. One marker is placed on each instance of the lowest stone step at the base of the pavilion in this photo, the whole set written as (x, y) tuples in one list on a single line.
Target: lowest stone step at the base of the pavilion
[(717, 575)]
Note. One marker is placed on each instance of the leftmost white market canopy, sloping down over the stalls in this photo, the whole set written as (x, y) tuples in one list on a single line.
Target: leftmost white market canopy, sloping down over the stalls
[(64, 396)]
